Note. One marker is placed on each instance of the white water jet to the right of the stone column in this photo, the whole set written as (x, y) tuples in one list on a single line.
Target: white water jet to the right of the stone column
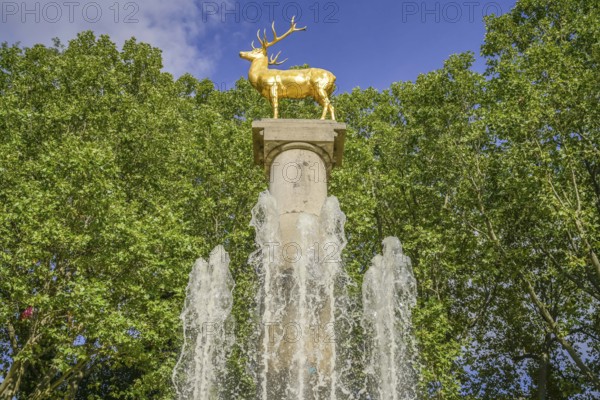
[(389, 294)]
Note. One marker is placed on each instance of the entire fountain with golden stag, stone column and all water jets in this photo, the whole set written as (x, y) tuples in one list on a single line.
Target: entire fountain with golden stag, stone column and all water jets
[(305, 348)]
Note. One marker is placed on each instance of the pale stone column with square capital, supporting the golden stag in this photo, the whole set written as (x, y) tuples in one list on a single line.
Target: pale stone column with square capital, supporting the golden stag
[(298, 156)]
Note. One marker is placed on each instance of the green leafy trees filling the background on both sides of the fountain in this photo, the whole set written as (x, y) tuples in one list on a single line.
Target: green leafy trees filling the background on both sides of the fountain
[(114, 177)]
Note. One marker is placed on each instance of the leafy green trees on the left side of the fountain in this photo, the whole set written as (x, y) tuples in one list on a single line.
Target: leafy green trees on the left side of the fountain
[(114, 178)]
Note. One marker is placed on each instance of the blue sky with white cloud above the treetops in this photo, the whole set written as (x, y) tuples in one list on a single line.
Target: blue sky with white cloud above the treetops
[(364, 43)]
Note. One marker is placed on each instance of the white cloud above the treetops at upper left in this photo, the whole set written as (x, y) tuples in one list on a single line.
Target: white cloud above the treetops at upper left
[(175, 26)]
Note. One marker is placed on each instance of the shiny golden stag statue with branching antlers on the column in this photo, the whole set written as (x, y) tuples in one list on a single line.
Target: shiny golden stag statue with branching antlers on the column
[(274, 84)]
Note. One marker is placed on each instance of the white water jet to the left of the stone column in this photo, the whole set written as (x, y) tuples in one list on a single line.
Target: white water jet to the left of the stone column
[(200, 371)]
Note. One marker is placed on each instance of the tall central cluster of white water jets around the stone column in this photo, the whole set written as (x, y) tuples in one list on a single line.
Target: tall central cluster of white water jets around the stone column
[(298, 301)]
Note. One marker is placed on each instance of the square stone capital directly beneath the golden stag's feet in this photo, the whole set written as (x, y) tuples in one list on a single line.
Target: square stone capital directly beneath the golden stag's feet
[(272, 136)]
